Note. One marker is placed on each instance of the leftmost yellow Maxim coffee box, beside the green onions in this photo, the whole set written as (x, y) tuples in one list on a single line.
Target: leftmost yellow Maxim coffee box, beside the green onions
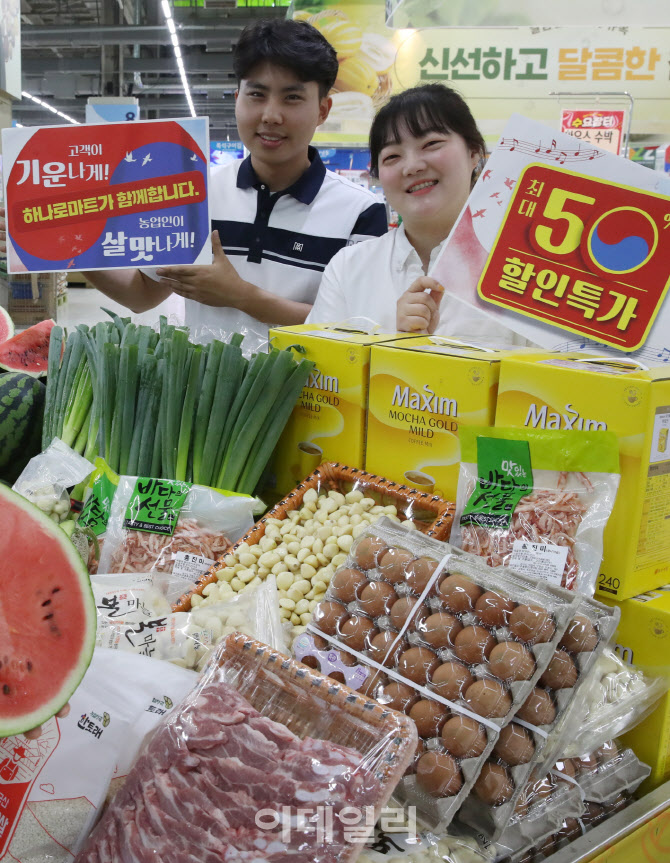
[(328, 422)]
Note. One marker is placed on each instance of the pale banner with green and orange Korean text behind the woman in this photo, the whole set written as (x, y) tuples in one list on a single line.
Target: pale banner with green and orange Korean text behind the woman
[(499, 71)]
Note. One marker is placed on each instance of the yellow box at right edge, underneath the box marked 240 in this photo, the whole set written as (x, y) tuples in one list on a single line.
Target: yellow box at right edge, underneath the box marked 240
[(643, 639)]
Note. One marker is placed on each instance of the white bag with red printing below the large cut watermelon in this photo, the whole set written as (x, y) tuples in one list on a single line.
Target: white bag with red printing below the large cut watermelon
[(52, 788)]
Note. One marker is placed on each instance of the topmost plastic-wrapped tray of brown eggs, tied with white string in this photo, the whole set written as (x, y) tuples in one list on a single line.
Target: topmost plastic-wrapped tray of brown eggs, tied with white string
[(452, 643)]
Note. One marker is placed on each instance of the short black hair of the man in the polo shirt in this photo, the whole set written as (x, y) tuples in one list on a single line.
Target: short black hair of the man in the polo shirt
[(295, 45)]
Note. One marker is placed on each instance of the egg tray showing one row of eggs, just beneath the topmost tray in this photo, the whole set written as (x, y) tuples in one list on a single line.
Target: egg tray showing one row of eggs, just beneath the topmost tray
[(530, 744)]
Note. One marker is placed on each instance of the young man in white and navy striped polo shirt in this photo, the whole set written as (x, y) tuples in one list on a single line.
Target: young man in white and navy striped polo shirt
[(279, 216)]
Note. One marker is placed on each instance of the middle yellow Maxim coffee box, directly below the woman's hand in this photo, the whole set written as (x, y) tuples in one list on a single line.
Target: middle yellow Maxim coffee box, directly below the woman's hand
[(421, 390)]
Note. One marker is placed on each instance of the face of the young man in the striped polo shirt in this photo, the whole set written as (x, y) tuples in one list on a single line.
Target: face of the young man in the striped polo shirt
[(277, 114)]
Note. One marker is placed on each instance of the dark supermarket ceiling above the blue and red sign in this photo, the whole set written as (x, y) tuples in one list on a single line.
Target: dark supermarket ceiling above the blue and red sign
[(73, 49)]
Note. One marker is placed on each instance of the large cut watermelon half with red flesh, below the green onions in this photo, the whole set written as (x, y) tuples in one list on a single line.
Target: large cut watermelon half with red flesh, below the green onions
[(47, 616)]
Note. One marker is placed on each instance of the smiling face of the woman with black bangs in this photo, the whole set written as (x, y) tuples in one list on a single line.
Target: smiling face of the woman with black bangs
[(426, 179)]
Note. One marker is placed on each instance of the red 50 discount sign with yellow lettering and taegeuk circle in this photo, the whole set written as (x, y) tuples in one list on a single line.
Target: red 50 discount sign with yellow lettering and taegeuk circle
[(582, 254)]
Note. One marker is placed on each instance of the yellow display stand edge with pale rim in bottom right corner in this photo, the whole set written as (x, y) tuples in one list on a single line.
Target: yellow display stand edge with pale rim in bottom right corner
[(640, 832)]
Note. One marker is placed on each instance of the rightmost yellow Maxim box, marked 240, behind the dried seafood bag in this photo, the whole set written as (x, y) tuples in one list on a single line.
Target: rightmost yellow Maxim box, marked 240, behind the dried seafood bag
[(583, 391)]
